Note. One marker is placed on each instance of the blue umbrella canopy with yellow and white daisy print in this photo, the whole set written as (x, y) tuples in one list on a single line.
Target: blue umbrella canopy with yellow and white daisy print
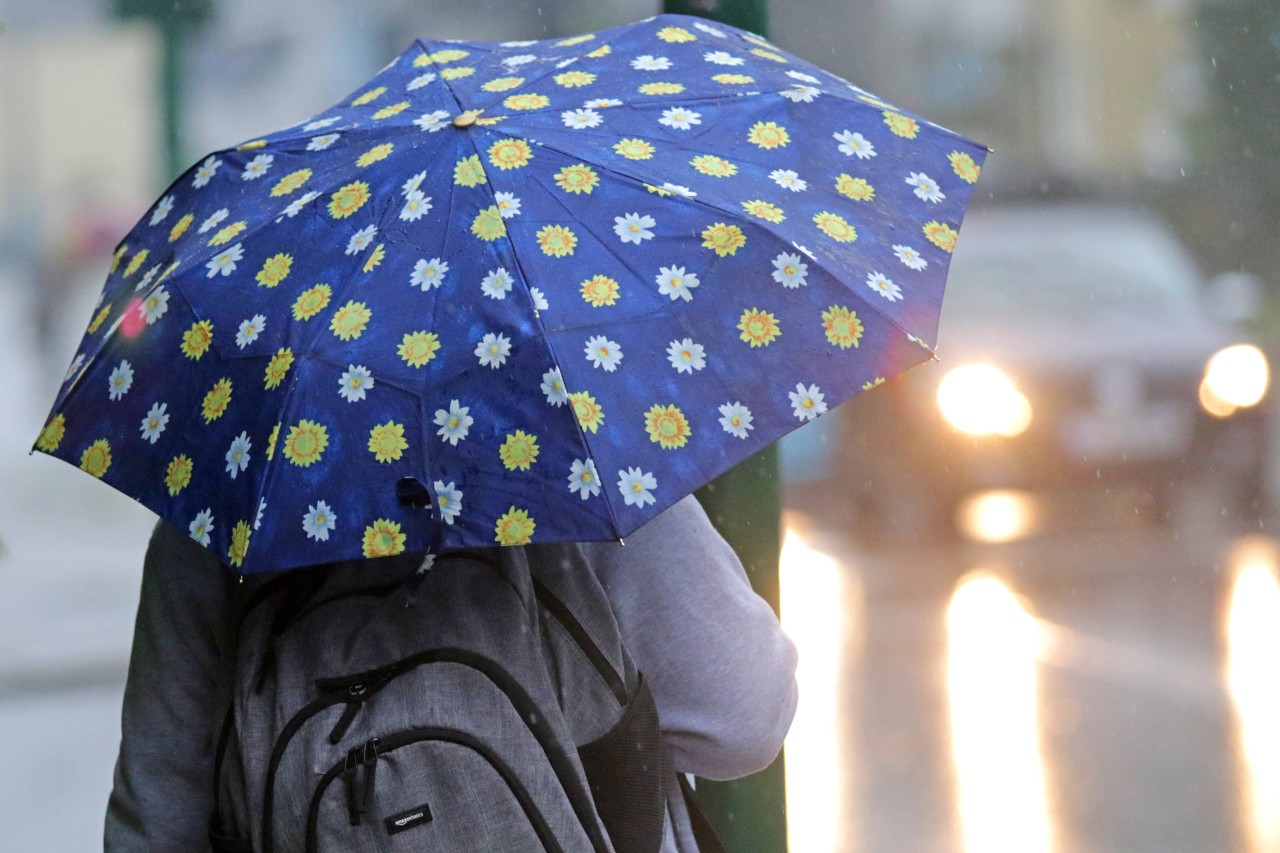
[(513, 293)]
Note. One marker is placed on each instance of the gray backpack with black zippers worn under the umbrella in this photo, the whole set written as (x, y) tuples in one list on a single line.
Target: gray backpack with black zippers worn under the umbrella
[(481, 704)]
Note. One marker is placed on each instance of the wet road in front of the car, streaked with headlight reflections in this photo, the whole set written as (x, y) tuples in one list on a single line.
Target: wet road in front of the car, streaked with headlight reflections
[(1072, 696)]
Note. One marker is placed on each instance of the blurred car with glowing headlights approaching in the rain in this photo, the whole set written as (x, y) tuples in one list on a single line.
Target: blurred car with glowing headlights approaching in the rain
[(1082, 358)]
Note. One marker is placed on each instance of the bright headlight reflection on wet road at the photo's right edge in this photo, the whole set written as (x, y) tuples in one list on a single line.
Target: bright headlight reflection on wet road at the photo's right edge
[(1252, 650)]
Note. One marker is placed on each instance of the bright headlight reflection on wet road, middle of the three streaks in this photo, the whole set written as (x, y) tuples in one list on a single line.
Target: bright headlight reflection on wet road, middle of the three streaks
[(994, 646)]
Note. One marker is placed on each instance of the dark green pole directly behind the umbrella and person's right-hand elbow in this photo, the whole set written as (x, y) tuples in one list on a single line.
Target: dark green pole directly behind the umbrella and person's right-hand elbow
[(746, 505)]
